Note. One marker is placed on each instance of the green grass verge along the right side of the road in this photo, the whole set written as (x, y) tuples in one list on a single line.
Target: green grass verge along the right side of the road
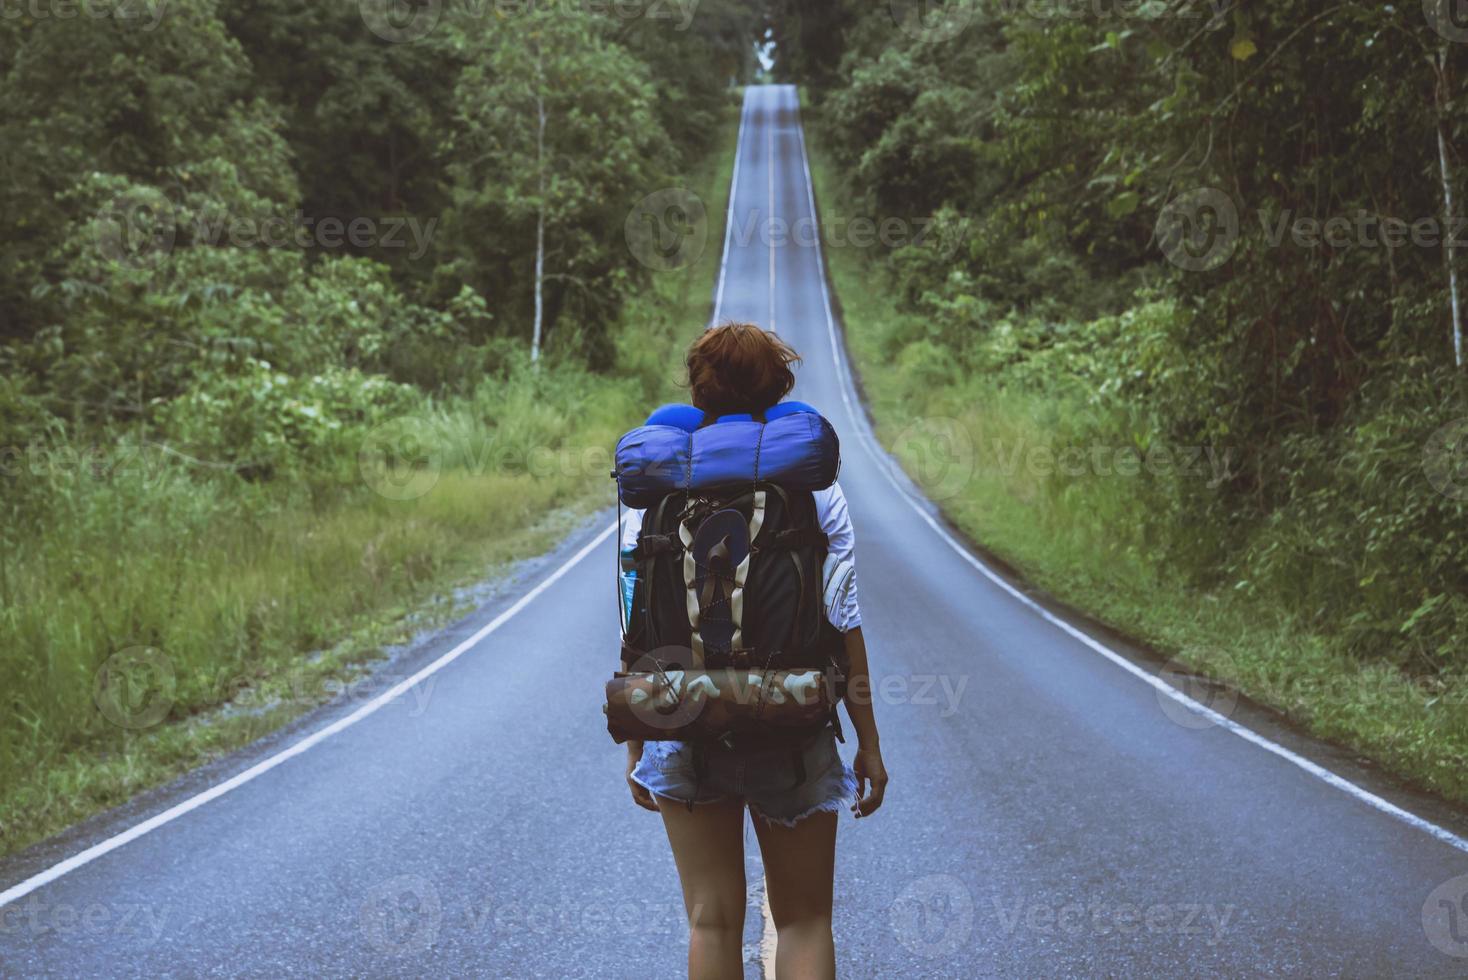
[(1086, 539)]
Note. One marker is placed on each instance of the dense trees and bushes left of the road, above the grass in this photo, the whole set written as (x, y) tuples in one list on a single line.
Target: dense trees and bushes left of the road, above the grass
[(196, 196)]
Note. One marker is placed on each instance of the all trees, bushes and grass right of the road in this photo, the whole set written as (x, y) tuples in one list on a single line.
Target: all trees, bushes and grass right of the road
[(1128, 360)]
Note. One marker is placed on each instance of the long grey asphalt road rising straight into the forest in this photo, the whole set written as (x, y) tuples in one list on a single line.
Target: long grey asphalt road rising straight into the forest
[(1052, 812)]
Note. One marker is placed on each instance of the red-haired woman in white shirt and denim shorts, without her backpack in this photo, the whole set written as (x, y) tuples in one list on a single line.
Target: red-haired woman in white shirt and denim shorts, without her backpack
[(739, 369)]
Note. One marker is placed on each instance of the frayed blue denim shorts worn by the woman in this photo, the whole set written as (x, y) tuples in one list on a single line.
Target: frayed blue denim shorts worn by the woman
[(768, 780)]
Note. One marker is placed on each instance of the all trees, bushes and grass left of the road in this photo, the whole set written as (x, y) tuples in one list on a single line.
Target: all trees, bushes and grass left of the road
[(244, 450)]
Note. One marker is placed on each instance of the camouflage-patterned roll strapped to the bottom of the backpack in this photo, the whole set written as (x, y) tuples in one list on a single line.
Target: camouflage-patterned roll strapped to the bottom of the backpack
[(692, 705)]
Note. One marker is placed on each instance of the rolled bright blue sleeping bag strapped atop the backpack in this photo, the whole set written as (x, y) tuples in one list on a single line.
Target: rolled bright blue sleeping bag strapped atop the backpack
[(793, 448)]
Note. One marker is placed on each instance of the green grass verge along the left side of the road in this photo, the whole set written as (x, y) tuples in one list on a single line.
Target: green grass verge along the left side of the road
[(241, 607)]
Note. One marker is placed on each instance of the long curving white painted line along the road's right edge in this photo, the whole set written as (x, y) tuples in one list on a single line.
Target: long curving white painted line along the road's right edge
[(886, 464)]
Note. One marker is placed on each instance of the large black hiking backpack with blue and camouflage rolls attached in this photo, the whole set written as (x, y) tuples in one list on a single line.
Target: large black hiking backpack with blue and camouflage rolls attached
[(727, 635)]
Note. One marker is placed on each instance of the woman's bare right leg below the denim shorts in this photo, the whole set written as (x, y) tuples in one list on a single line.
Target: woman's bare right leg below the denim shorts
[(799, 875)]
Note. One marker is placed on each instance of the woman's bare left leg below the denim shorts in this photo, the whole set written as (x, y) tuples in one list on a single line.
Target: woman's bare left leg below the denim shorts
[(708, 846)]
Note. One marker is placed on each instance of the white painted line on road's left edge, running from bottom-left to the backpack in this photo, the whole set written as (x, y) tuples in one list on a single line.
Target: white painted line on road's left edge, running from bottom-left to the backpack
[(259, 769)]
